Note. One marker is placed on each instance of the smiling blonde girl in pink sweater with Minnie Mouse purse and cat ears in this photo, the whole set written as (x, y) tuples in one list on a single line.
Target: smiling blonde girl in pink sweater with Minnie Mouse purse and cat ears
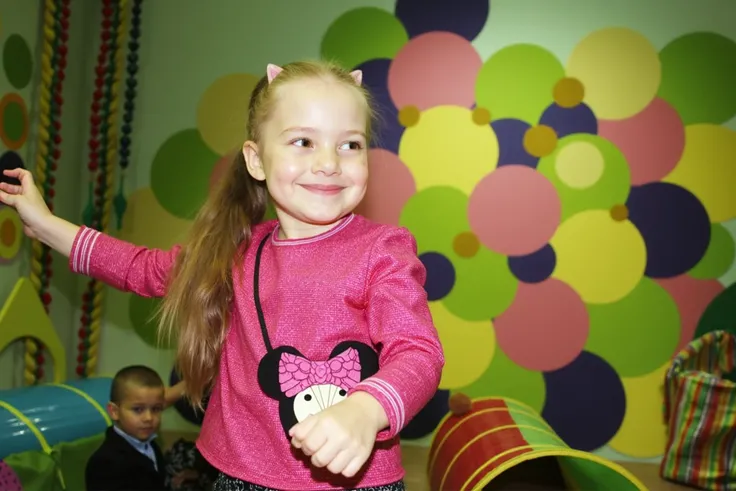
[(314, 329)]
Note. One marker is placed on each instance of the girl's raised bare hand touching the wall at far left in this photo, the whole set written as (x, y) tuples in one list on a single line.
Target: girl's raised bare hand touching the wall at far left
[(26, 200)]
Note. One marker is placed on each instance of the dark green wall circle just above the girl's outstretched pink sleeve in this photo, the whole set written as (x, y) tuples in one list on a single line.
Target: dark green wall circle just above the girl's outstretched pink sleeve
[(180, 173)]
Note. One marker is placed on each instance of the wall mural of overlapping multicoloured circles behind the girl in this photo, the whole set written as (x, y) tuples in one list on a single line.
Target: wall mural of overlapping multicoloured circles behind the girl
[(575, 215)]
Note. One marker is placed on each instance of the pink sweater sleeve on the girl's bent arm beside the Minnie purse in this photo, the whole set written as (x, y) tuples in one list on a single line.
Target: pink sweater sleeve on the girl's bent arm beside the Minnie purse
[(410, 354)]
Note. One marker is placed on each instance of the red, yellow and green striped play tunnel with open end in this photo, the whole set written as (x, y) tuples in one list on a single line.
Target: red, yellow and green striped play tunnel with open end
[(502, 444)]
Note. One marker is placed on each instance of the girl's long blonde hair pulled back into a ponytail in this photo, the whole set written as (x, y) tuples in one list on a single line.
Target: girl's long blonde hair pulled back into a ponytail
[(198, 299)]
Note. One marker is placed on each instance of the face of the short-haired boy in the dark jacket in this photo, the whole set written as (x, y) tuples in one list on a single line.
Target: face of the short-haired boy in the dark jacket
[(139, 412)]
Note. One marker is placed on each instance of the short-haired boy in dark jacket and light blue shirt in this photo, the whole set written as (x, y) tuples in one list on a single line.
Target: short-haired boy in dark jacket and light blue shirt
[(129, 458)]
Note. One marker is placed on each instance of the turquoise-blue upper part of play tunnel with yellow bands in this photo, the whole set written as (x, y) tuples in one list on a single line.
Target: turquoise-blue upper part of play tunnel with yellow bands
[(37, 418)]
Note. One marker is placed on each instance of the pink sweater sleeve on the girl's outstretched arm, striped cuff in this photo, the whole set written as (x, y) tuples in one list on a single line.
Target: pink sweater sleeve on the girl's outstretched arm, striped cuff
[(122, 265)]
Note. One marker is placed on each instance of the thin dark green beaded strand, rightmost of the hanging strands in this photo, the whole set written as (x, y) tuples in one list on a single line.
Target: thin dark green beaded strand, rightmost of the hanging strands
[(131, 83)]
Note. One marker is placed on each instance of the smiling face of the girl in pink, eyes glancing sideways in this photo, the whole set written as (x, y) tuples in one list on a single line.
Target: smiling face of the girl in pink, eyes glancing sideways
[(313, 155)]
